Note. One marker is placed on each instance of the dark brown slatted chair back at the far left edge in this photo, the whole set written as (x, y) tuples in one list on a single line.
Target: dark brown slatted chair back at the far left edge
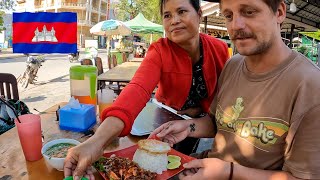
[(9, 86)]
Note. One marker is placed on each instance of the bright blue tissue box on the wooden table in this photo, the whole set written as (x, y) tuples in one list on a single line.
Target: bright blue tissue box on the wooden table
[(78, 120)]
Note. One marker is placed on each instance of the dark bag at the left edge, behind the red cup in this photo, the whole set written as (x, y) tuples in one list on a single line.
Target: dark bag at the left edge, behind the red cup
[(8, 111)]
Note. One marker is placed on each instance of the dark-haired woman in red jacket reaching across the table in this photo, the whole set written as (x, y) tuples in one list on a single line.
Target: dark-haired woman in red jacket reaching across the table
[(185, 66)]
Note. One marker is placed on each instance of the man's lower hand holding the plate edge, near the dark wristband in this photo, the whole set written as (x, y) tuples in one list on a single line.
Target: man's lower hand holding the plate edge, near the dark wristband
[(206, 169)]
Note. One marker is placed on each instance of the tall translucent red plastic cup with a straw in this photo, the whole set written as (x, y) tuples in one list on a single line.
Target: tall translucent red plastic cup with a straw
[(29, 131)]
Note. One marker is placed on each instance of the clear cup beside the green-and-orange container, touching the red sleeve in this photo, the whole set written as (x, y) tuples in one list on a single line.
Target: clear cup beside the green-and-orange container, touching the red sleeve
[(105, 99)]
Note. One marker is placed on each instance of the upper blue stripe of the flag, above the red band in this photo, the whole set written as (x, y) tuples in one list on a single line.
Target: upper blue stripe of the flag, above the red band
[(45, 17)]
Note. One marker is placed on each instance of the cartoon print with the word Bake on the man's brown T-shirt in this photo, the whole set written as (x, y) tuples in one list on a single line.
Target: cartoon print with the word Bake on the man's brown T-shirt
[(258, 131)]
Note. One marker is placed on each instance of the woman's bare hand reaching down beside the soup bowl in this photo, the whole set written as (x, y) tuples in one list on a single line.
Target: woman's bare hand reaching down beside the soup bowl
[(80, 158)]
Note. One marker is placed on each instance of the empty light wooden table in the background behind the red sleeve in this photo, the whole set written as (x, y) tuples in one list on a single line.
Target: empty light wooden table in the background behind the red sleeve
[(121, 73)]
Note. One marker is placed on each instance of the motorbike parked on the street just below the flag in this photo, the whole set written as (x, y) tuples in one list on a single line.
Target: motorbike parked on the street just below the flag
[(30, 74)]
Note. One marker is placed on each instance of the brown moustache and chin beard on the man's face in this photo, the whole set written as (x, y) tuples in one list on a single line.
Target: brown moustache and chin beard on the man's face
[(260, 48)]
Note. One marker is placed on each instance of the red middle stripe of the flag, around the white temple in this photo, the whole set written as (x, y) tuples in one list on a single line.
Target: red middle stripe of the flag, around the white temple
[(64, 32)]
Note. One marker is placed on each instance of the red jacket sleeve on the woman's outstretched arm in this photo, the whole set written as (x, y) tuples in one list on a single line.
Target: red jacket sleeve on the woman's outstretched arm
[(137, 93)]
